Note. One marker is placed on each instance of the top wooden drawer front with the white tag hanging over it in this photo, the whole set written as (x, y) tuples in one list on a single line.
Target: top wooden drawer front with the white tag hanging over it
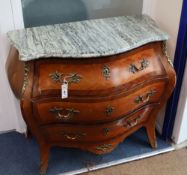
[(92, 76)]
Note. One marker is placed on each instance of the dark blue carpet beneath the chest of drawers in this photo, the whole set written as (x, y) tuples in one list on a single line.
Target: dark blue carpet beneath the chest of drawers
[(22, 155)]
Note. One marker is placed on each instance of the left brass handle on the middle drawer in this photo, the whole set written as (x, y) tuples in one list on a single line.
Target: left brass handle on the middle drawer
[(58, 112)]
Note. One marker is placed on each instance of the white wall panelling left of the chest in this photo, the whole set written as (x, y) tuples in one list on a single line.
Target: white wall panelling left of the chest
[(10, 115)]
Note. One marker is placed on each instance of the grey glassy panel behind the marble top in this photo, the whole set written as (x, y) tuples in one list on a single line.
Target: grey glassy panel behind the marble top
[(42, 12)]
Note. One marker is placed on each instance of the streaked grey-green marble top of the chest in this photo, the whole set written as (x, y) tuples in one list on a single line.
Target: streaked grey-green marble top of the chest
[(84, 39)]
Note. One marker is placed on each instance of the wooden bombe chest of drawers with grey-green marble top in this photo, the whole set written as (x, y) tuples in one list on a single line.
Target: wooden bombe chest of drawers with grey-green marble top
[(90, 84)]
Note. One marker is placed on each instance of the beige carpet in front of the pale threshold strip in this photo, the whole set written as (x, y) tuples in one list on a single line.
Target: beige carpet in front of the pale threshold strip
[(172, 163)]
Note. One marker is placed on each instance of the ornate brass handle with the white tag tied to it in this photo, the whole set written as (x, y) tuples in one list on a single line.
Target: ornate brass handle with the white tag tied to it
[(59, 77)]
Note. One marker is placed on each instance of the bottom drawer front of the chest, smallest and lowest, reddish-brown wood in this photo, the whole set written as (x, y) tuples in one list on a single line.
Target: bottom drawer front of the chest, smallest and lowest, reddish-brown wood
[(89, 133)]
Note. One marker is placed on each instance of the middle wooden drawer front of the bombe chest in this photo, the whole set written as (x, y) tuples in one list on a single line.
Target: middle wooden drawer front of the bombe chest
[(55, 111)]
